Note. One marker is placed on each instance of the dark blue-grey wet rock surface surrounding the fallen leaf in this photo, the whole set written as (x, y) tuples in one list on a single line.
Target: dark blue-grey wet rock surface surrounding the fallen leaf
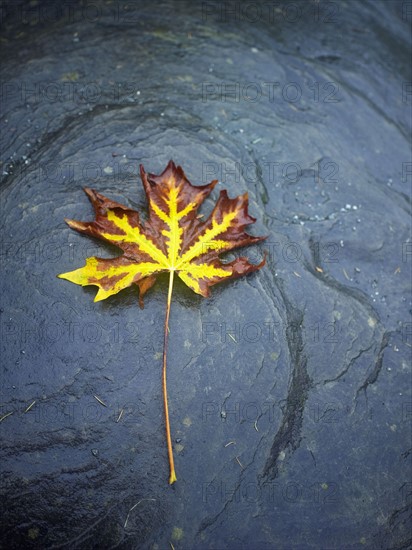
[(289, 390)]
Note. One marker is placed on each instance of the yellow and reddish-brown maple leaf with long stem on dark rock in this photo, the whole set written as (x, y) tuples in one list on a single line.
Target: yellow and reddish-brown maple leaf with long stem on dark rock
[(173, 239)]
